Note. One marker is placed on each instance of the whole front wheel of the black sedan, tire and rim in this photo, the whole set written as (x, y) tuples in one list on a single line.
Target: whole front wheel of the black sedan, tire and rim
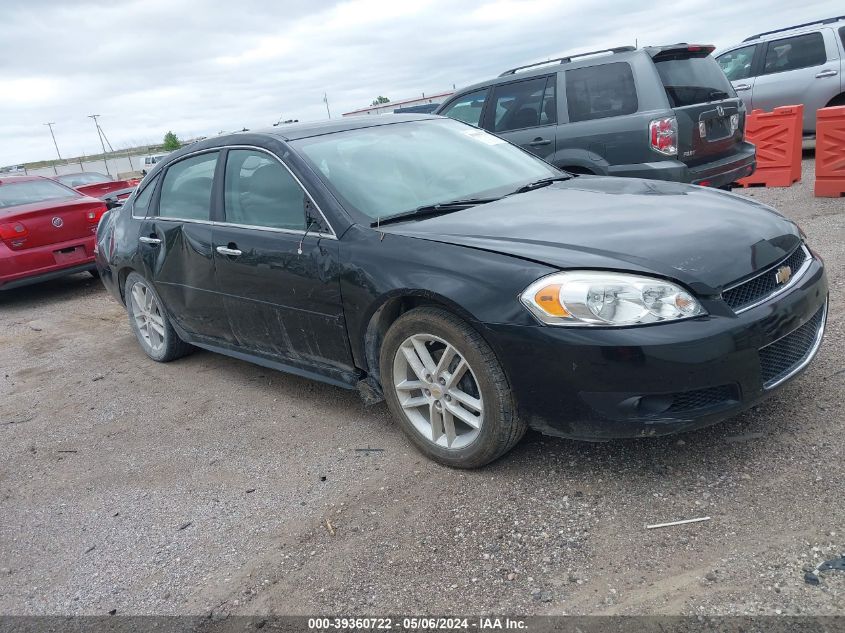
[(425, 405)]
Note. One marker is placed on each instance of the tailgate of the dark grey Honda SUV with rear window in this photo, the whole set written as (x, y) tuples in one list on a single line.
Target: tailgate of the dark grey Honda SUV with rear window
[(710, 116)]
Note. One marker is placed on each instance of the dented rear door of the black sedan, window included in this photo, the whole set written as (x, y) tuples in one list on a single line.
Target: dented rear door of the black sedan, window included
[(175, 246)]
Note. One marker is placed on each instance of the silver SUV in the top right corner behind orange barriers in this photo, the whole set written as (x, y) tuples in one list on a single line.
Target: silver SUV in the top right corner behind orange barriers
[(802, 64)]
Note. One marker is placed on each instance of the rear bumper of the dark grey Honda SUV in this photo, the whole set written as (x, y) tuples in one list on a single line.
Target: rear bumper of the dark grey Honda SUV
[(718, 173)]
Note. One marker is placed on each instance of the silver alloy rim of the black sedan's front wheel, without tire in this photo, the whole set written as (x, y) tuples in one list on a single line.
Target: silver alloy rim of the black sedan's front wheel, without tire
[(438, 391)]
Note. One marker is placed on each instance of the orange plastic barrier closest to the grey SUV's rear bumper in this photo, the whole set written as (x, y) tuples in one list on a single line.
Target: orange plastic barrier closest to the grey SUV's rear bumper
[(777, 137)]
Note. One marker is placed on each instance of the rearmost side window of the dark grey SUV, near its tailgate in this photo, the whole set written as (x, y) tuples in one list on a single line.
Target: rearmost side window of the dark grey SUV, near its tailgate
[(598, 92)]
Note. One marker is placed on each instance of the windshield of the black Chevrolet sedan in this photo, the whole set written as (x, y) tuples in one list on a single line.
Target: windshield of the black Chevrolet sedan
[(385, 170)]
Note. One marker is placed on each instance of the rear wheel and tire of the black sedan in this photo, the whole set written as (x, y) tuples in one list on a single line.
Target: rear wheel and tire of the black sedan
[(150, 323)]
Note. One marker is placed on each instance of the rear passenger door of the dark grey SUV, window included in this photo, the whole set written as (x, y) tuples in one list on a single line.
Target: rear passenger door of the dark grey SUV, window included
[(525, 113)]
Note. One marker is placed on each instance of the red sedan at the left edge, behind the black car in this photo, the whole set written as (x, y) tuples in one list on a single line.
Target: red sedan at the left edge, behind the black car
[(47, 230)]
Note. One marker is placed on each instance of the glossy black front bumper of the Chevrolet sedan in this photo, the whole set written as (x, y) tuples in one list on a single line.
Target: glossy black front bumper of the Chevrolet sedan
[(600, 384)]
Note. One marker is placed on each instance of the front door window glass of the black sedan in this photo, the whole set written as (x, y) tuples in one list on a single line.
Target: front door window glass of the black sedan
[(259, 191)]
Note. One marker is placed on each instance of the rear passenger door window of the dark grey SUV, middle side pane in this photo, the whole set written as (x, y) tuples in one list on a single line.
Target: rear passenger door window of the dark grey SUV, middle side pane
[(524, 104)]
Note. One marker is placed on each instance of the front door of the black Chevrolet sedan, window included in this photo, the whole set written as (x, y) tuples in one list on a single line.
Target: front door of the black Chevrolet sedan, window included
[(277, 266)]
